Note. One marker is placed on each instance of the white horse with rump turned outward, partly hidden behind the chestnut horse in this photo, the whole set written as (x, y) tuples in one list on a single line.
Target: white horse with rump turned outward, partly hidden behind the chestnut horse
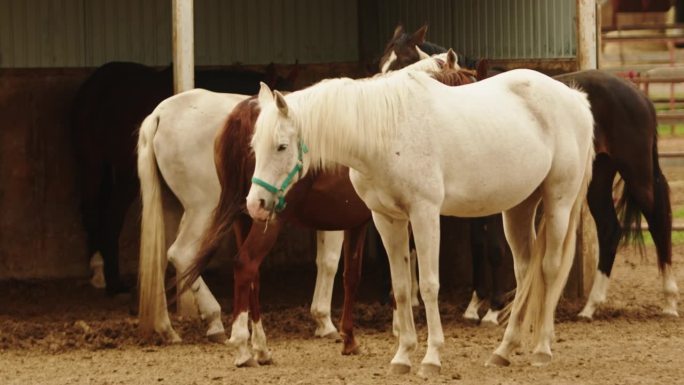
[(177, 139)]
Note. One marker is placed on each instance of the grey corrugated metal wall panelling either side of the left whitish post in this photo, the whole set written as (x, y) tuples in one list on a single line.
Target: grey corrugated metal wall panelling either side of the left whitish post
[(89, 33)]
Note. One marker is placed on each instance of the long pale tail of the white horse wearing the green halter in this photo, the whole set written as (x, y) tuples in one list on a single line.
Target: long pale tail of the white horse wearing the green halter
[(532, 291)]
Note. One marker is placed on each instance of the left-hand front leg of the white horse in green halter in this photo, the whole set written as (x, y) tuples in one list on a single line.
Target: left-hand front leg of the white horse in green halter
[(394, 234)]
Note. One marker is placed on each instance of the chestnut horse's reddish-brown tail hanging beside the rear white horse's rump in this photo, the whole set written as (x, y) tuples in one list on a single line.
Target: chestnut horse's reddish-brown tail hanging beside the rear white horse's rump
[(234, 167)]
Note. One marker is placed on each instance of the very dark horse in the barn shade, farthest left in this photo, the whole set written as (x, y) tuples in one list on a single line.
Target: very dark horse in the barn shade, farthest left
[(107, 111)]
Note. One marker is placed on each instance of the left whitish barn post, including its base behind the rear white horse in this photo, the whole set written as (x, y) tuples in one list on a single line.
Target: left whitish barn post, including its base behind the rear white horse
[(183, 80)]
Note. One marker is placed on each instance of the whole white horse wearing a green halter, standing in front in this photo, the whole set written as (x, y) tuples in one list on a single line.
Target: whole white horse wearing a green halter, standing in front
[(418, 149)]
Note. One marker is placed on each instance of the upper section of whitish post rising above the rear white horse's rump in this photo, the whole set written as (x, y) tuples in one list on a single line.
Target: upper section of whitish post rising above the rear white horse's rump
[(183, 45)]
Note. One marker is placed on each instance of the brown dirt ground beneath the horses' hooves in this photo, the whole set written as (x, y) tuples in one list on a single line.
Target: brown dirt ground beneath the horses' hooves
[(64, 332)]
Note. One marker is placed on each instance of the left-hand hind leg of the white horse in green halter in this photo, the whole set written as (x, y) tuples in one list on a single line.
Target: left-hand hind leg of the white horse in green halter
[(520, 233)]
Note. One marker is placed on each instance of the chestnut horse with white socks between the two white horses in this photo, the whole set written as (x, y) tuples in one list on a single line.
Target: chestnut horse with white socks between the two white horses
[(324, 201)]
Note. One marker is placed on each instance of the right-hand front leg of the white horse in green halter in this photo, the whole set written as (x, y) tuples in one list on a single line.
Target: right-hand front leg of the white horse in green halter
[(425, 224)]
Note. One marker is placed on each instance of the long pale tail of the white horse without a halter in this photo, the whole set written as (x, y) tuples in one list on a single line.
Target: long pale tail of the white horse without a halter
[(152, 305)]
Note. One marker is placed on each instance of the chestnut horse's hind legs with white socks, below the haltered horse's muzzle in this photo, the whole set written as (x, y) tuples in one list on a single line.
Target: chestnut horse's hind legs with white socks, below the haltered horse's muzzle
[(258, 243)]
